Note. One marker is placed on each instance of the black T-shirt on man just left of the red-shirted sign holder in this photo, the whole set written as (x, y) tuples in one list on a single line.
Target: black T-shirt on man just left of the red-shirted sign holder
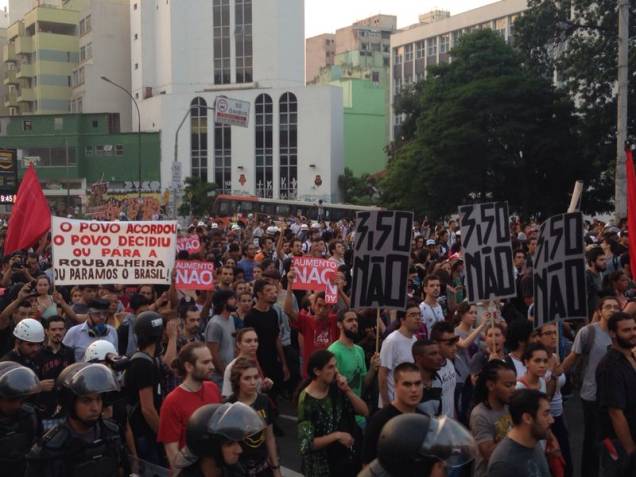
[(266, 326)]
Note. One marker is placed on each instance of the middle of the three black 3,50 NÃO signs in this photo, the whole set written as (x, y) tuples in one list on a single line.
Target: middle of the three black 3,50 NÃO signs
[(487, 251)]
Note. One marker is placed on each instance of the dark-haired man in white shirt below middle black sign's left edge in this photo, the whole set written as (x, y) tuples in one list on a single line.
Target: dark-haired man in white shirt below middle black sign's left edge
[(443, 333)]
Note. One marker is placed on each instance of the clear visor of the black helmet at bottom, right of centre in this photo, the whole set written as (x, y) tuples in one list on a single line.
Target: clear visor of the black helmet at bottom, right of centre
[(449, 441)]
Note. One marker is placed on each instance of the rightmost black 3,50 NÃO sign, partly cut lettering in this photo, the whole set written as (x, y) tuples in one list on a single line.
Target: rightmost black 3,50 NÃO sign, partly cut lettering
[(559, 270)]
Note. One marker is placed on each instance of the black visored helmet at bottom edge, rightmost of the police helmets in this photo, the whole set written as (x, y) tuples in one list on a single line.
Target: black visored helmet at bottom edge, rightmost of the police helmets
[(411, 443)]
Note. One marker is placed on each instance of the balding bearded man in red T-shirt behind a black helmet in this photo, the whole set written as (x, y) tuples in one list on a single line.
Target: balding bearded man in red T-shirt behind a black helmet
[(194, 365)]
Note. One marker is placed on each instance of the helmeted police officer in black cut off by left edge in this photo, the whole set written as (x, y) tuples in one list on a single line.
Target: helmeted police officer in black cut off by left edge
[(19, 425)]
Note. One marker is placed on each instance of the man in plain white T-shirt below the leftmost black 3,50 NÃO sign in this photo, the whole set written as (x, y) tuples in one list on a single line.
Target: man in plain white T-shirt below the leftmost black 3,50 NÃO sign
[(397, 349)]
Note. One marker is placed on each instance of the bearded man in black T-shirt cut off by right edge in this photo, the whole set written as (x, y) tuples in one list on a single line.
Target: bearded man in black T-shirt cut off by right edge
[(616, 384)]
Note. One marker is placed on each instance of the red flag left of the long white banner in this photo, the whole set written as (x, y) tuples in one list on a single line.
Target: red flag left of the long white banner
[(30, 216)]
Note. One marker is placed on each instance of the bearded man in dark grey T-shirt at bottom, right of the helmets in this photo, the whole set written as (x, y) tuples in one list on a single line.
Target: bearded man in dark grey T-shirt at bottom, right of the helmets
[(520, 453)]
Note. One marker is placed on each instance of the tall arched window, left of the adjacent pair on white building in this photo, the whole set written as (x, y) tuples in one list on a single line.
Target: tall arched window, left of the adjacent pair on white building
[(264, 146)]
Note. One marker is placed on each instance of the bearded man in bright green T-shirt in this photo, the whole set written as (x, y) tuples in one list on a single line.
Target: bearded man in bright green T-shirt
[(350, 358)]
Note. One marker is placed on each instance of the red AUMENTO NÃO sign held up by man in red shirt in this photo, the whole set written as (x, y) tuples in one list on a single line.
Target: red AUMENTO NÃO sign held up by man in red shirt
[(316, 274)]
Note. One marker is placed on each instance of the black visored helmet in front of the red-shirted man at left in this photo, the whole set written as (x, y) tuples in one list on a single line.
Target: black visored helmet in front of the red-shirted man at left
[(213, 424)]
